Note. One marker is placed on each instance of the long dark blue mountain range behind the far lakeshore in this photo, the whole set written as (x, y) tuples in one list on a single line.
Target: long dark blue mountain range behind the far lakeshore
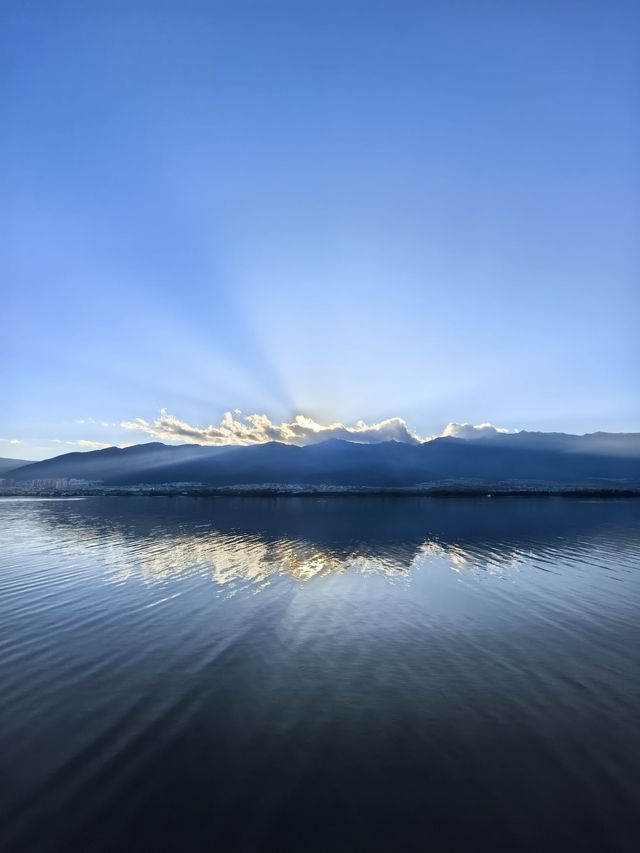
[(599, 459)]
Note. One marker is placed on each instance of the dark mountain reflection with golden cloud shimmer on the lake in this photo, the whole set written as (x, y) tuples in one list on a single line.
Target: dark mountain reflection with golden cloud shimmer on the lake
[(249, 540)]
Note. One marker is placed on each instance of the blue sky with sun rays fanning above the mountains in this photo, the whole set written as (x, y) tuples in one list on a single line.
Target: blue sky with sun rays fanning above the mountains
[(417, 213)]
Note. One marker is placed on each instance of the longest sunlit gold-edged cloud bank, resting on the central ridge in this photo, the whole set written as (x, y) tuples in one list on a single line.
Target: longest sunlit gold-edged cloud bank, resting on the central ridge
[(258, 429)]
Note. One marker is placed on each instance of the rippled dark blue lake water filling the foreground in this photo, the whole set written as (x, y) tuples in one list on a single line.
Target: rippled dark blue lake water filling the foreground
[(338, 674)]
